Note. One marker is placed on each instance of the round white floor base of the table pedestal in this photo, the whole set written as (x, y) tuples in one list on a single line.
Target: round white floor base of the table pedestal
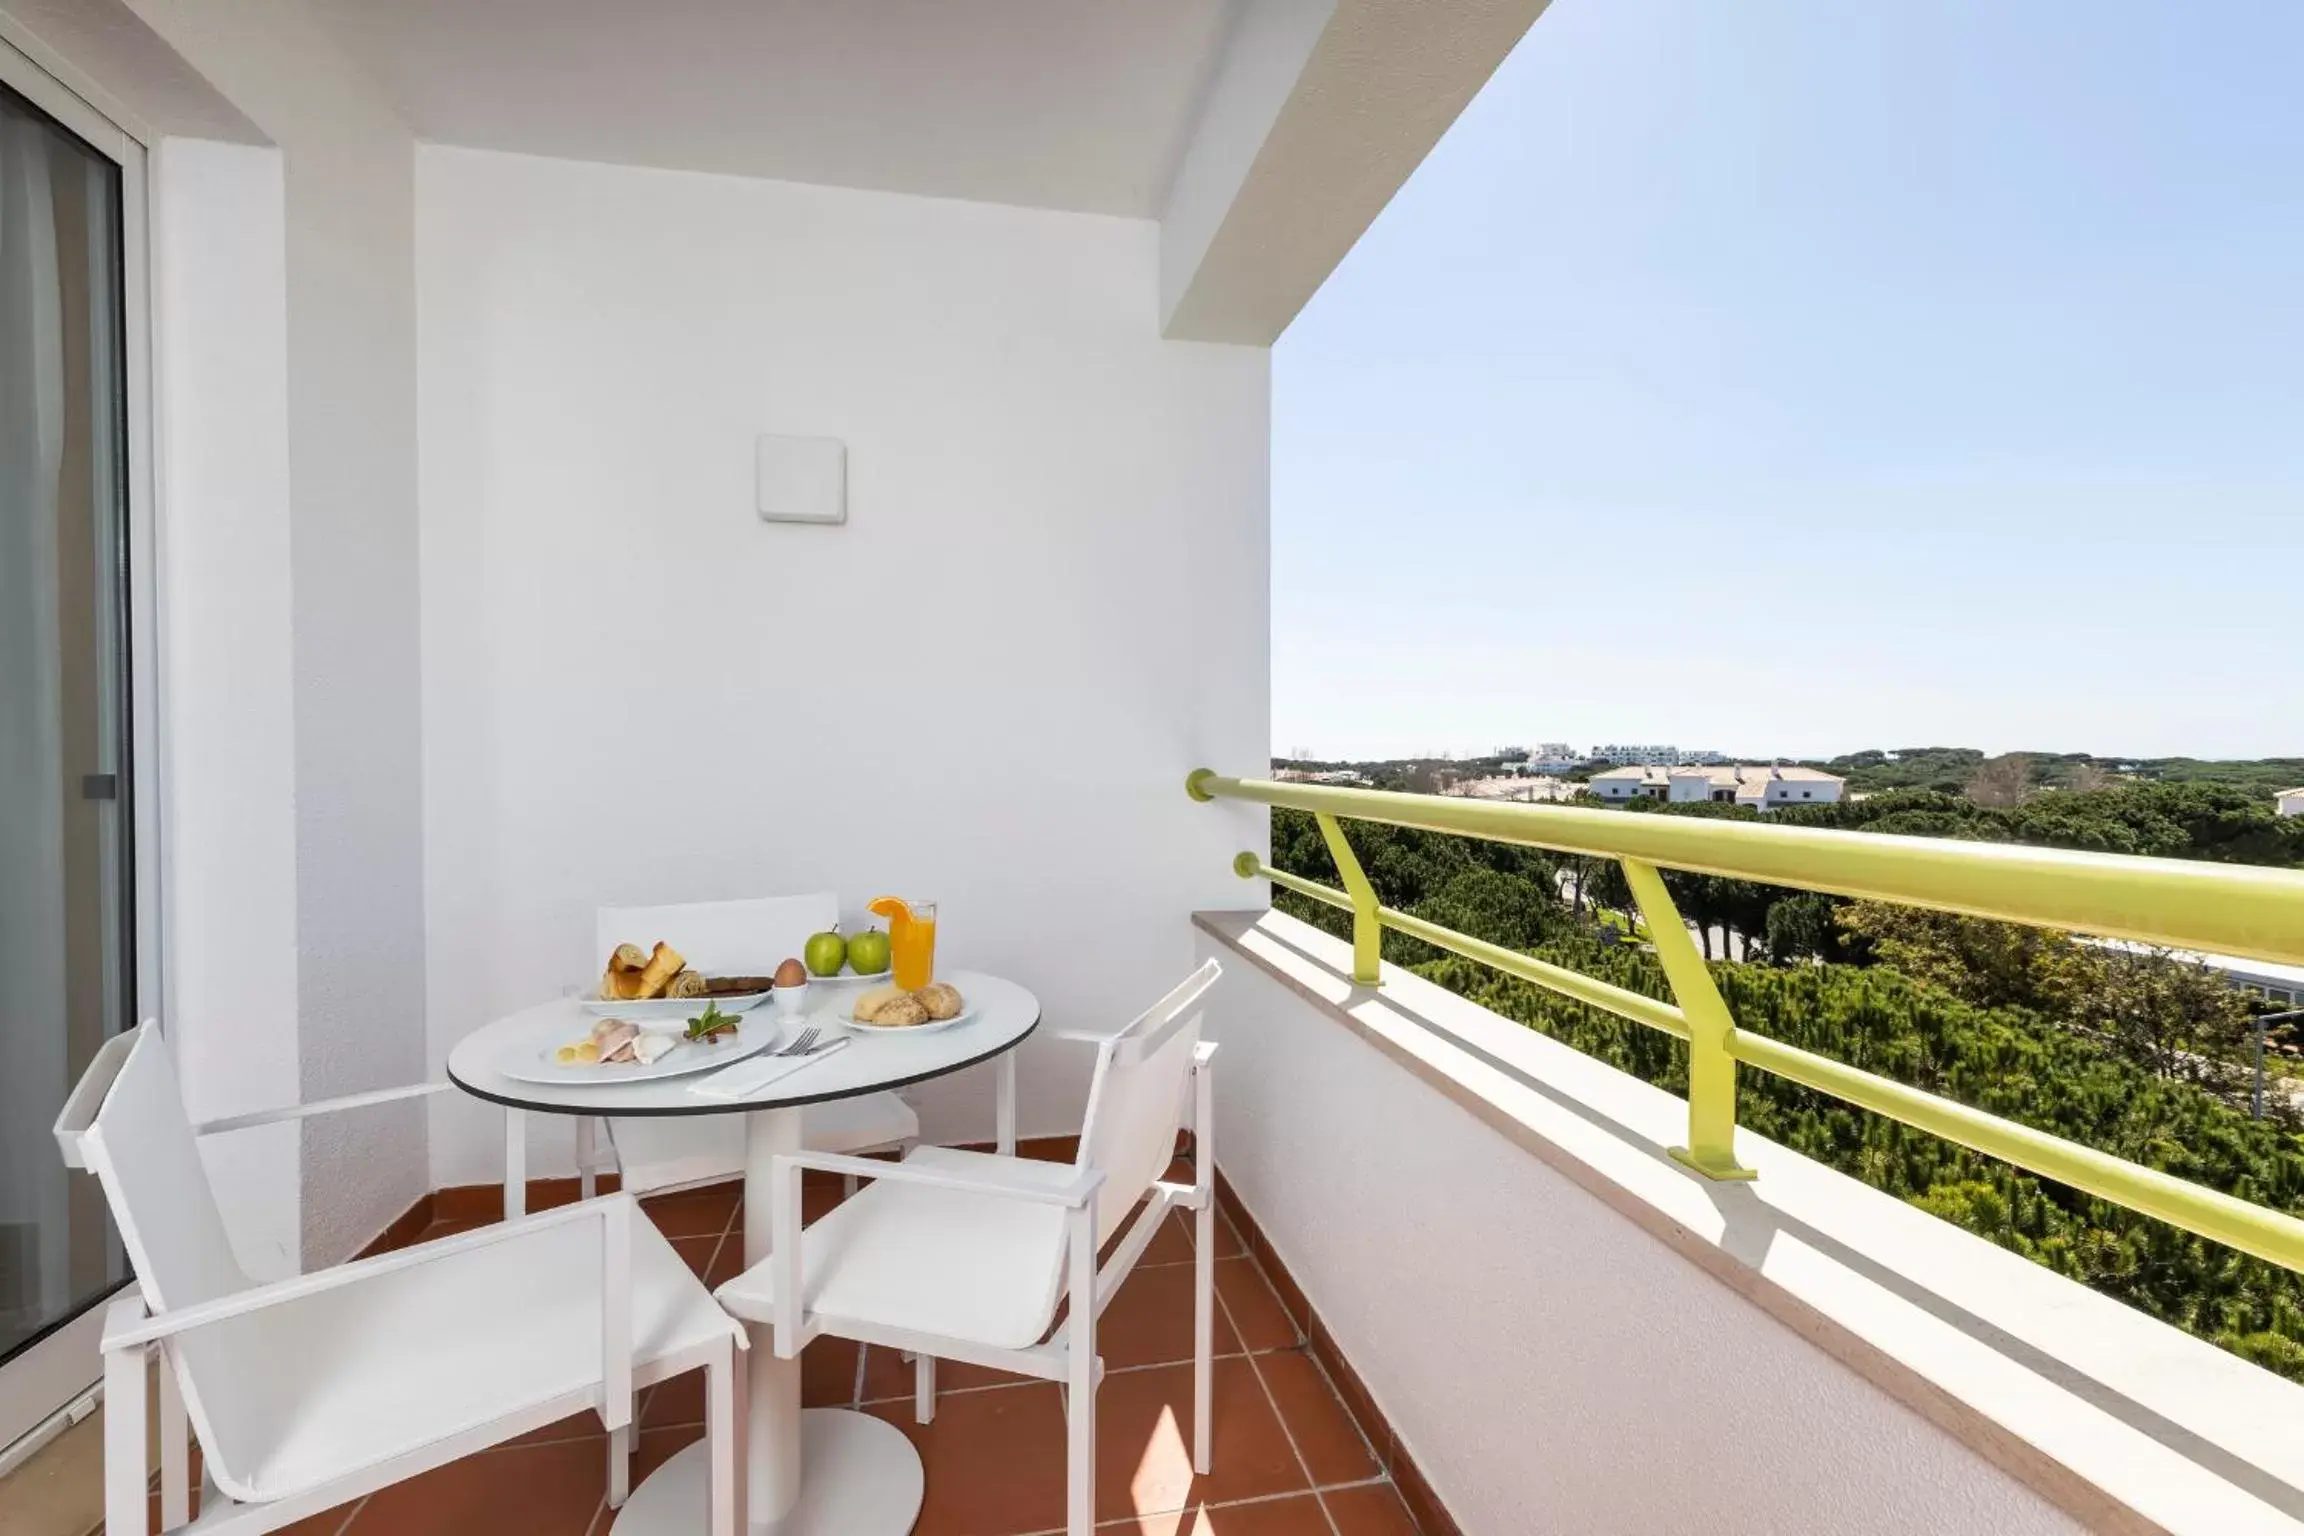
[(858, 1477)]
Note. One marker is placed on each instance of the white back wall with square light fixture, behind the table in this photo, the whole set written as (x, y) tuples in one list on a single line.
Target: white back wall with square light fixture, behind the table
[(1049, 600)]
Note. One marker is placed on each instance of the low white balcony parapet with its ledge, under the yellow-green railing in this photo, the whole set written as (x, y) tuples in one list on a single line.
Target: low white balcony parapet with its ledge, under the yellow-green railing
[(1414, 1196)]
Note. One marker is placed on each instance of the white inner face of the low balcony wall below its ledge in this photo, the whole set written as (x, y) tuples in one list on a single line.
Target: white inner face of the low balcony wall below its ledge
[(1526, 1341)]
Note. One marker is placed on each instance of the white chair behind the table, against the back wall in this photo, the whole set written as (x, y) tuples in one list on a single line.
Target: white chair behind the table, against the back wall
[(732, 938)]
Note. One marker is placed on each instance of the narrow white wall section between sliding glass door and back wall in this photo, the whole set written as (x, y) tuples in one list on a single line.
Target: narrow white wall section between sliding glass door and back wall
[(289, 549)]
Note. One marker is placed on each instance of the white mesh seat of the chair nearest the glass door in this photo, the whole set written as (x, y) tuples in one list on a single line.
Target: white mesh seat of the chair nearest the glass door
[(361, 1376)]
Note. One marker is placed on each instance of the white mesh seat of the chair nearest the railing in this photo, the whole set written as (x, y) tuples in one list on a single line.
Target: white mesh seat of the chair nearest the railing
[(960, 1265)]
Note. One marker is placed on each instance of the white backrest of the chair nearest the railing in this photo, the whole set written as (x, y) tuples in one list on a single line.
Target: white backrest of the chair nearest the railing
[(1137, 1100)]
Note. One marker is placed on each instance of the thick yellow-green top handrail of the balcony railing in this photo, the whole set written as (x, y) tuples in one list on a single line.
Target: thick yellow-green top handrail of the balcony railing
[(2178, 904)]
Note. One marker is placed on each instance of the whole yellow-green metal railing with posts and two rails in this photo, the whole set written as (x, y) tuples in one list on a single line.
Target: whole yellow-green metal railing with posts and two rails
[(2222, 908)]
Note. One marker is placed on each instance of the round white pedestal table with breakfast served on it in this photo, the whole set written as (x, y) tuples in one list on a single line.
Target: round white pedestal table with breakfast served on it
[(819, 1473)]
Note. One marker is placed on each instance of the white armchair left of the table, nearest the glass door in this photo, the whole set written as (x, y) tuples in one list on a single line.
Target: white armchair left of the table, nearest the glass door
[(333, 1385)]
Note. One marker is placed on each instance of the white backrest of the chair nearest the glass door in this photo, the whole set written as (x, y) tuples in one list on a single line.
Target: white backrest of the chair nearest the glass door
[(126, 1123)]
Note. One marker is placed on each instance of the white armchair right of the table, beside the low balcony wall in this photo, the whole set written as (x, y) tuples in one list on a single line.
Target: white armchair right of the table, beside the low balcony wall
[(967, 1254)]
